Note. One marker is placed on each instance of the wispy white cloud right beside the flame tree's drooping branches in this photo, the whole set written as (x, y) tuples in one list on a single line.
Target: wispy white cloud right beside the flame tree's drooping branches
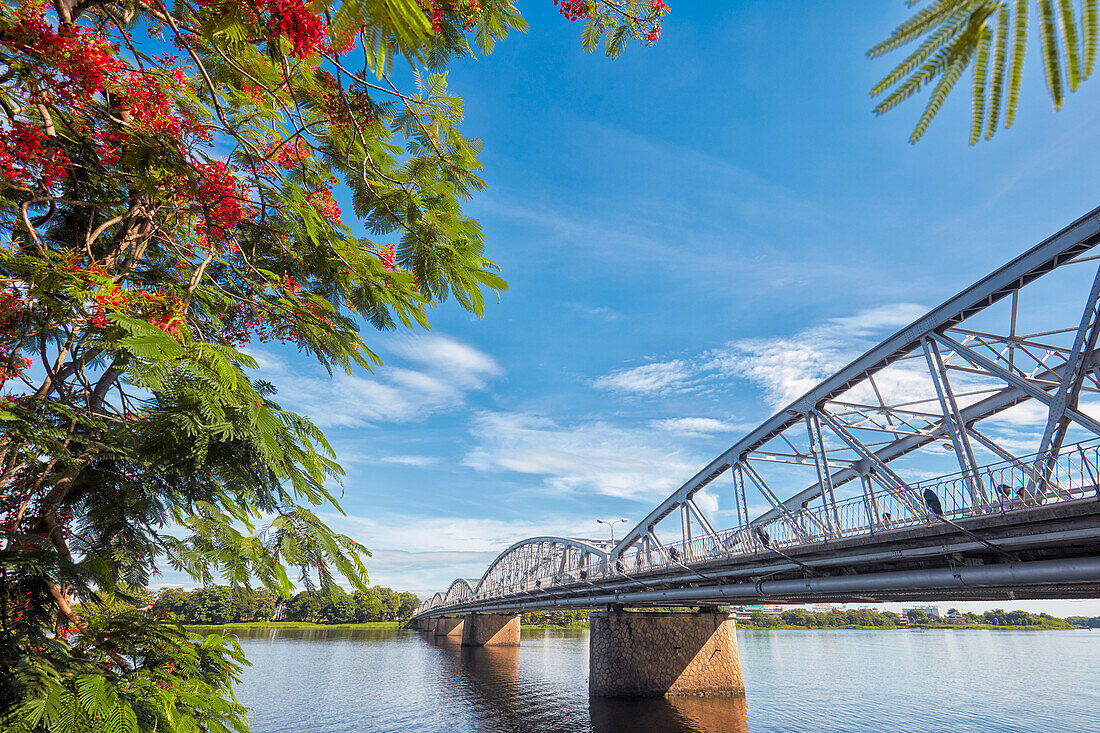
[(448, 370)]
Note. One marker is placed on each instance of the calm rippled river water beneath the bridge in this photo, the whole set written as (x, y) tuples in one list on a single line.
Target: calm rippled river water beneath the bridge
[(345, 682)]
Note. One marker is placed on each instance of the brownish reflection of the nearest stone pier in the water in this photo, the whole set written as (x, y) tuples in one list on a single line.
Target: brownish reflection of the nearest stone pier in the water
[(680, 715)]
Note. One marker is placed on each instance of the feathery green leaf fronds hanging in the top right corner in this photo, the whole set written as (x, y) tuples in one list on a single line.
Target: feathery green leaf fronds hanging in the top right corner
[(992, 38)]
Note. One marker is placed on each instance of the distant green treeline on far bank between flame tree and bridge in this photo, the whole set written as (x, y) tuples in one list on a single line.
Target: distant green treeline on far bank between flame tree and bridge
[(221, 605)]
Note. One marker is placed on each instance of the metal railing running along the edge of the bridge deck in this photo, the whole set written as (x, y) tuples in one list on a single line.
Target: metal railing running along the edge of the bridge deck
[(996, 489)]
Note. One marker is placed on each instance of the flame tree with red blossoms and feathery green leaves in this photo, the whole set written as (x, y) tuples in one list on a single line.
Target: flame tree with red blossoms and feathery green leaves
[(167, 194)]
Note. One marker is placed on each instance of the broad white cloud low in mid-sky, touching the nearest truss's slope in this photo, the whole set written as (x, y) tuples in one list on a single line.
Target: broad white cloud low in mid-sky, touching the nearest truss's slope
[(584, 457)]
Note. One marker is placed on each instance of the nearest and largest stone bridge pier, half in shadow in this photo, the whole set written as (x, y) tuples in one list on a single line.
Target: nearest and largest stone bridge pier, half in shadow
[(664, 654)]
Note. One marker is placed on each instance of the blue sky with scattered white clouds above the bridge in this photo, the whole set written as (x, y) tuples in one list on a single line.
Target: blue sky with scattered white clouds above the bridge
[(690, 233)]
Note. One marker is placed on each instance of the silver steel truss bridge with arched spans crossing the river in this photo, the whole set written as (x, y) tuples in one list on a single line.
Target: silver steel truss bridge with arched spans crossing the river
[(989, 393)]
